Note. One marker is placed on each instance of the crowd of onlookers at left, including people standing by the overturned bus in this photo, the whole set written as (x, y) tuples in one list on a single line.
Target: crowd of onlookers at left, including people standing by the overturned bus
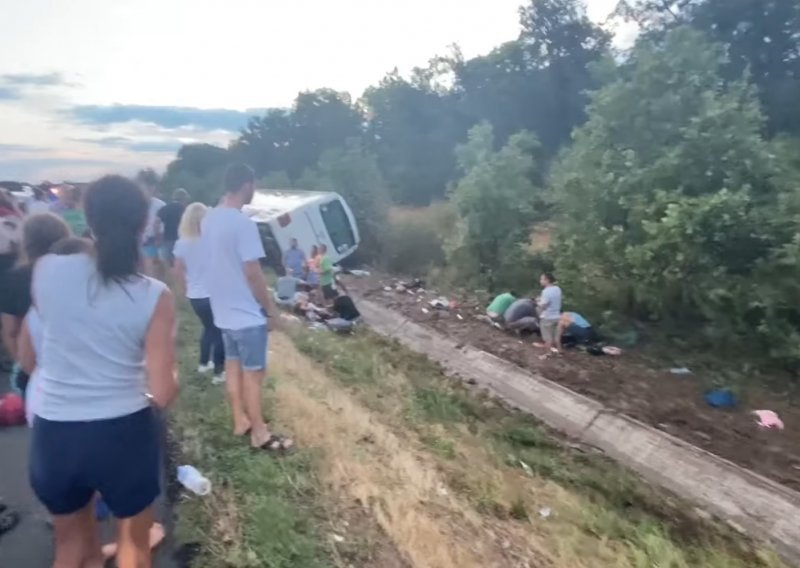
[(90, 323)]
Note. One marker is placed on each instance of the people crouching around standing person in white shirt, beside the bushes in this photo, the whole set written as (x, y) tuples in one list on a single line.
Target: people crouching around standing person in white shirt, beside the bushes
[(543, 315)]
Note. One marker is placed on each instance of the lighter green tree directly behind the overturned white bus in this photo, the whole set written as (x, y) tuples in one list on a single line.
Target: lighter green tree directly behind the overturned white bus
[(353, 173)]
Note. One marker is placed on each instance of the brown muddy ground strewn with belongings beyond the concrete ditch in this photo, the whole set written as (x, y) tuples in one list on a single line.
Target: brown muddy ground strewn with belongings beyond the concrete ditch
[(628, 383)]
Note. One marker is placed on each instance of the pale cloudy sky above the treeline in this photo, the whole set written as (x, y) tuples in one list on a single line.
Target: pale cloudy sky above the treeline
[(92, 86)]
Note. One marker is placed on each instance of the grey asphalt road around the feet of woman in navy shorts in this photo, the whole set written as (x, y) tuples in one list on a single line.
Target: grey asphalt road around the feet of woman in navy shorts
[(30, 544)]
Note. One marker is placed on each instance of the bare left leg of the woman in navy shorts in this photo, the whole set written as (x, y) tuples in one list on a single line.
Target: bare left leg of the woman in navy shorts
[(77, 543)]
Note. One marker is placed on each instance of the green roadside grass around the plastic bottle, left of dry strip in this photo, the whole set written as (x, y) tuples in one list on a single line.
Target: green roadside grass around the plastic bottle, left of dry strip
[(263, 511)]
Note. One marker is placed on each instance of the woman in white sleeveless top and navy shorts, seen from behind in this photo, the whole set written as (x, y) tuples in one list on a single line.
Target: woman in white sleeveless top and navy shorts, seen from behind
[(107, 356)]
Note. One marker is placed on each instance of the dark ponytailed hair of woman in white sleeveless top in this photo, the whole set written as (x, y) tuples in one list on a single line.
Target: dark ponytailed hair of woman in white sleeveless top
[(116, 211)]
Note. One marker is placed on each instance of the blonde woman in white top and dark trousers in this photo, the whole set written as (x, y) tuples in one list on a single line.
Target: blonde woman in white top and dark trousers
[(190, 269)]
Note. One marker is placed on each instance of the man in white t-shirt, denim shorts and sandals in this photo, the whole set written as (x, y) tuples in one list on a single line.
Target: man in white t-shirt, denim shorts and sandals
[(241, 304)]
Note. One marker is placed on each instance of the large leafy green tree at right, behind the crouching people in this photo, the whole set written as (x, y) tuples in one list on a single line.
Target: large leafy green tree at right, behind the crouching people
[(669, 198)]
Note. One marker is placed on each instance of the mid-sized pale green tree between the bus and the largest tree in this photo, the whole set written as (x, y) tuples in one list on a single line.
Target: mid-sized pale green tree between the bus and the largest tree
[(495, 201)]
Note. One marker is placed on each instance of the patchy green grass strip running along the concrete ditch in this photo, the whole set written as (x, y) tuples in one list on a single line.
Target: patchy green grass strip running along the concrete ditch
[(656, 528)]
